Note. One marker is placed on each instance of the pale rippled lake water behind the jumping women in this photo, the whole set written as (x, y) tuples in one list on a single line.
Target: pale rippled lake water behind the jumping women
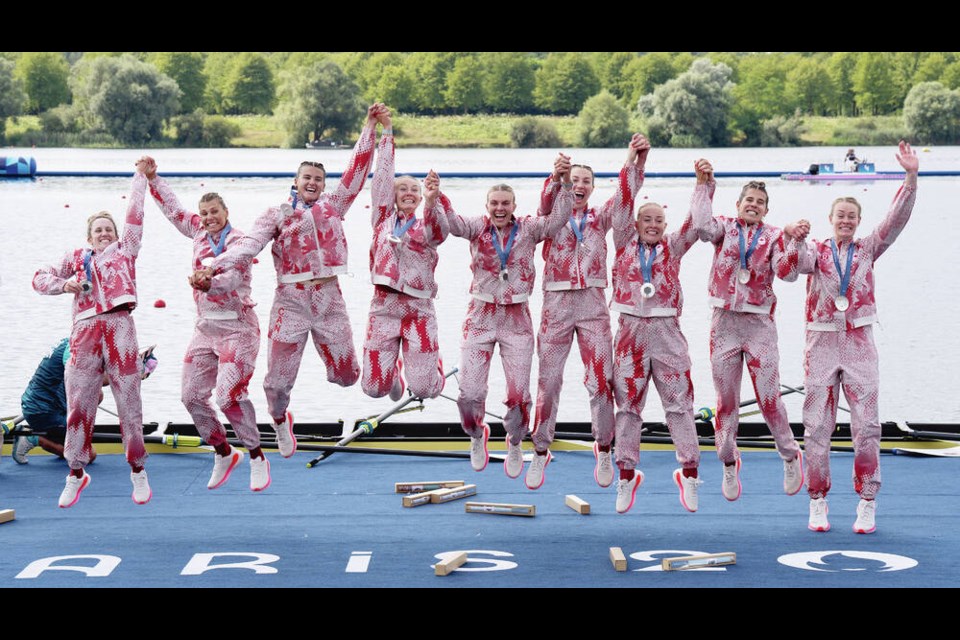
[(918, 280)]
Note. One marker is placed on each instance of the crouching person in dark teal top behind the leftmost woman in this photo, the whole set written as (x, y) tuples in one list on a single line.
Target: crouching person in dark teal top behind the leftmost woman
[(43, 404)]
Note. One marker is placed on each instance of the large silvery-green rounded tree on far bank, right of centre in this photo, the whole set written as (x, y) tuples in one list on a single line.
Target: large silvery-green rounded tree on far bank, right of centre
[(693, 109)]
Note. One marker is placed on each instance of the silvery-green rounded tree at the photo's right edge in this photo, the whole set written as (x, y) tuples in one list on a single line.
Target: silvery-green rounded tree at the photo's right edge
[(931, 114)]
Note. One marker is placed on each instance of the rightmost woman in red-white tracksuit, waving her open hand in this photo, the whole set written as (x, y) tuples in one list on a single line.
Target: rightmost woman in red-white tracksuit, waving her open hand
[(840, 350)]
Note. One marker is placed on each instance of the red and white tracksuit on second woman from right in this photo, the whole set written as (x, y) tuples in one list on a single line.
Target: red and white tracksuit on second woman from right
[(743, 329)]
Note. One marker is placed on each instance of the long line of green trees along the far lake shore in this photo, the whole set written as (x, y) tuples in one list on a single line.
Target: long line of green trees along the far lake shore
[(680, 99)]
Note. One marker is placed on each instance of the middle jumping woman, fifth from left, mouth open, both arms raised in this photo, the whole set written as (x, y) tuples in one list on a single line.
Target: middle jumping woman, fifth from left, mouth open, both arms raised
[(502, 261)]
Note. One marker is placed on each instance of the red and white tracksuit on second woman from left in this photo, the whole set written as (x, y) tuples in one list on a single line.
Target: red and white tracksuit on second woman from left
[(226, 339)]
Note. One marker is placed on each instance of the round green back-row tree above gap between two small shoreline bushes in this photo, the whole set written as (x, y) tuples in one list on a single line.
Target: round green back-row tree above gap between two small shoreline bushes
[(564, 83)]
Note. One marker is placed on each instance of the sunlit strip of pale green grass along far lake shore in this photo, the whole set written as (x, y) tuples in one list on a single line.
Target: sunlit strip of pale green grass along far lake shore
[(480, 131)]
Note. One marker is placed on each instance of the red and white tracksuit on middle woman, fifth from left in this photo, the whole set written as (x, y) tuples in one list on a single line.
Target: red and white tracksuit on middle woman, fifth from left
[(499, 314)]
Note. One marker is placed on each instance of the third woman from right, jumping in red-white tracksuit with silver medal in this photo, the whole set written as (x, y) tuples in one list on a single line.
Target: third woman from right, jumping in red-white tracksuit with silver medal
[(649, 346)]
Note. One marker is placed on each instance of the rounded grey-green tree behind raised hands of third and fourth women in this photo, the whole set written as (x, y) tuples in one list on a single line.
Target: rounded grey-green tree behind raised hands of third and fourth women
[(320, 100)]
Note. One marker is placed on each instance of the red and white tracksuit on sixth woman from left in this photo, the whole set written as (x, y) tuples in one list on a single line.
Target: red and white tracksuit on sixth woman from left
[(574, 277)]
